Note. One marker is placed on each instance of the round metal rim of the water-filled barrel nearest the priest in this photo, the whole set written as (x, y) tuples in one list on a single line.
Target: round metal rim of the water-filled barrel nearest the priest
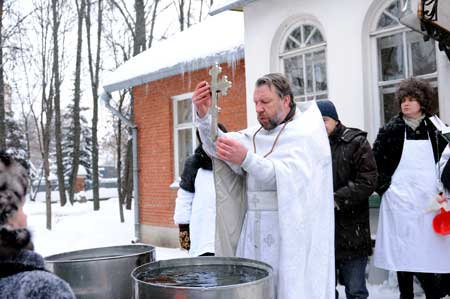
[(249, 262)]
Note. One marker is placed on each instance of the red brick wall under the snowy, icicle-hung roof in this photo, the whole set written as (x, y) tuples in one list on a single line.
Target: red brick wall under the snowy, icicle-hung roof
[(153, 116)]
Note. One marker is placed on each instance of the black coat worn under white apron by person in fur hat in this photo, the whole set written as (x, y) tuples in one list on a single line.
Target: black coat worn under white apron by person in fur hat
[(388, 146)]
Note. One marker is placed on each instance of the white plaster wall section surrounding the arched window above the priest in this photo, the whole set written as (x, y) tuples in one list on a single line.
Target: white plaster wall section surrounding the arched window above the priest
[(341, 25)]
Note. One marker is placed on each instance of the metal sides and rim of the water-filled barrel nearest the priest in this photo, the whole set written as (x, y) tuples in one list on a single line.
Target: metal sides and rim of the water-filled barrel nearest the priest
[(146, 287)]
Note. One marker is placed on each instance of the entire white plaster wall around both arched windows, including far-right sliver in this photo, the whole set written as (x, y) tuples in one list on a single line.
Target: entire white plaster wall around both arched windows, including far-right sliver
[(344, 25)]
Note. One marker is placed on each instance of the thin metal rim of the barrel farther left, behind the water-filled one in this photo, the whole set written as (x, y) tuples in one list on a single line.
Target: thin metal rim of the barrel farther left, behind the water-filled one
[(53, 259)]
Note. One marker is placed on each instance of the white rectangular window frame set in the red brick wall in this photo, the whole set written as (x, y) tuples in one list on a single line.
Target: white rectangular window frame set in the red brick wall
[(176, 128)]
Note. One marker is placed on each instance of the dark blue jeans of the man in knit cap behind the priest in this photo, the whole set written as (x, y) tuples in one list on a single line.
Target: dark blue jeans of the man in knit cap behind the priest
[(352, 274)]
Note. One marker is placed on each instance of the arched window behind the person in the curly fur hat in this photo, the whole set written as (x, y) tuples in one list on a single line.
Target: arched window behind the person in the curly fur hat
[(401, 53)]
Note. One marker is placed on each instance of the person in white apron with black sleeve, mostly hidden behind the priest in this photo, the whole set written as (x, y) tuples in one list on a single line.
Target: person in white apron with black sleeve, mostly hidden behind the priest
[(195, 209)]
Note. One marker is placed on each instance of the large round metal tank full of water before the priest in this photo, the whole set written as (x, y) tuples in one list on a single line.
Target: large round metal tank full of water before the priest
[(204, 278)]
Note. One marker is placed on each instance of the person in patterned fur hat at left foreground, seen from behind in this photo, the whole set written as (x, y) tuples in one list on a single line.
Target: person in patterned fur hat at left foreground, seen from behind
[(22, 272)]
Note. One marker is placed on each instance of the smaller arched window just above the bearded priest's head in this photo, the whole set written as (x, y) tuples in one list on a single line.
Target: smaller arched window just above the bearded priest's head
[(303, 60)]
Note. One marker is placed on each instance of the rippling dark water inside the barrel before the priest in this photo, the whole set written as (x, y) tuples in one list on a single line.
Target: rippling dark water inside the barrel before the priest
[(202, 276)]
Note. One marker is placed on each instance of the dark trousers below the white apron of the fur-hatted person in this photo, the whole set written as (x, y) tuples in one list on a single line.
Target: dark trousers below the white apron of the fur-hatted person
[(428, 281)]
